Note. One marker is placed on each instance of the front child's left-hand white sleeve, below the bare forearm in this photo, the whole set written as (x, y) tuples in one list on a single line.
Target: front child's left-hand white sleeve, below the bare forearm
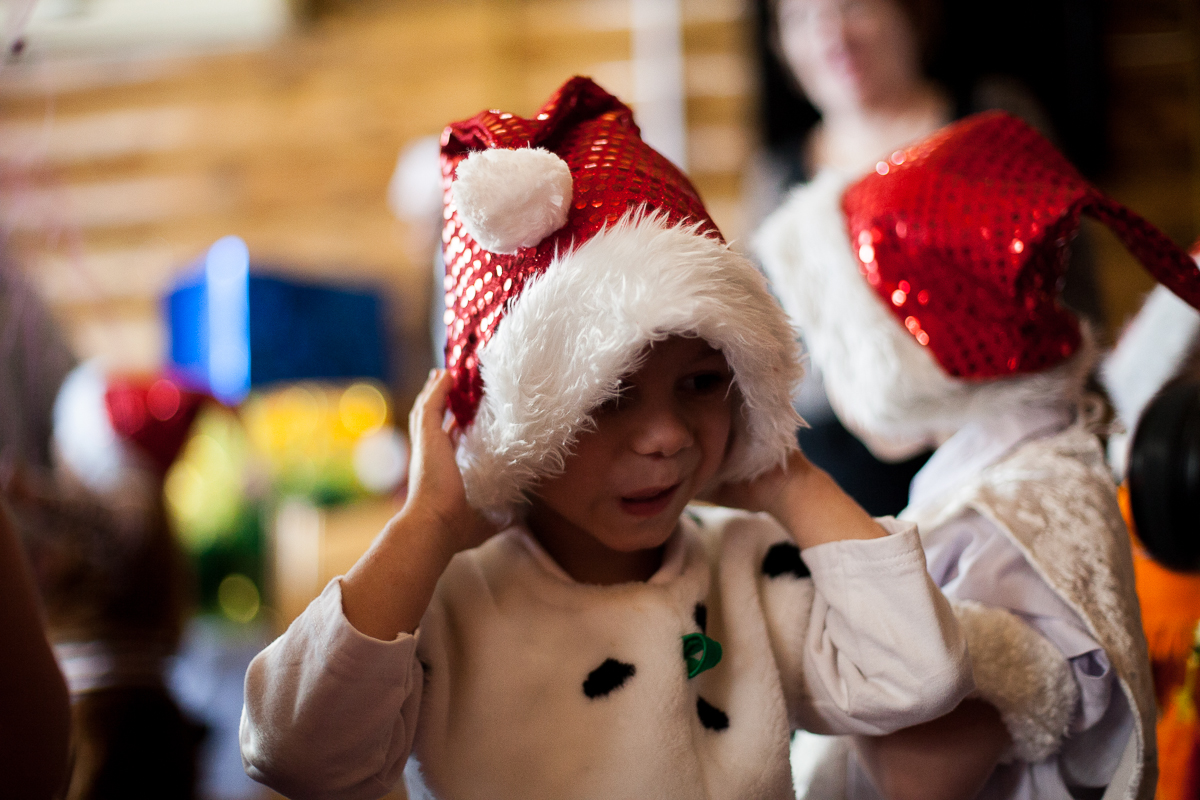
[(331, 713)]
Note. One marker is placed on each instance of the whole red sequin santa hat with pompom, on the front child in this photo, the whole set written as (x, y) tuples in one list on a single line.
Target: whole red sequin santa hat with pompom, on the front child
[(571, 246)]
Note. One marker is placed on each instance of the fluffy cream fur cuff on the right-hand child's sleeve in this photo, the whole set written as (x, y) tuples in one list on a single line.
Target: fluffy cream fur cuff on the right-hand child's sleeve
[(1025, 677)]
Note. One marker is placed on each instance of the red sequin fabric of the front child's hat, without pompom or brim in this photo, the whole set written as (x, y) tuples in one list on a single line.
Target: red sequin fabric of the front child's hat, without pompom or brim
[(613, 172)]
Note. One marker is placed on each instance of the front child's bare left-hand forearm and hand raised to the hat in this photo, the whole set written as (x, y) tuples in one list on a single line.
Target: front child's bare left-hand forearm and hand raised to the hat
[(388, 591)]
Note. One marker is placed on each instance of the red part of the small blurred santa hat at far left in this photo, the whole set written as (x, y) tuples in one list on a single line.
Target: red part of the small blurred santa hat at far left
[(153, 413)]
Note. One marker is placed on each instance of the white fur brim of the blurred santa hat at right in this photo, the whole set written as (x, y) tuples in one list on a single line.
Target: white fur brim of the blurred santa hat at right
[(885, 387)]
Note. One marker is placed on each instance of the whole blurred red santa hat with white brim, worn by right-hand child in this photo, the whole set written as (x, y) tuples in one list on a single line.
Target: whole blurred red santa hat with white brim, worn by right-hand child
[(929, 291)]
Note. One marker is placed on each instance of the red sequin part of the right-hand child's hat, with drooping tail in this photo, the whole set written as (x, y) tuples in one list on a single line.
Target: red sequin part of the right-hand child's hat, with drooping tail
[(965, 237)]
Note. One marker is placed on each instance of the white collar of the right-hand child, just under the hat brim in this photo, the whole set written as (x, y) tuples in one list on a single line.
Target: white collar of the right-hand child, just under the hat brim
[(981, 444)]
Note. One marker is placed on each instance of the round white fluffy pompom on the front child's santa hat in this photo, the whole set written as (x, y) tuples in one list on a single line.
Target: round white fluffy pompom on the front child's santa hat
[(509, 200)]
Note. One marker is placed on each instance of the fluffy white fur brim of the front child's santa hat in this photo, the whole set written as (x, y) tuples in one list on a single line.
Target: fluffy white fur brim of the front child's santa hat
[(572, 335)]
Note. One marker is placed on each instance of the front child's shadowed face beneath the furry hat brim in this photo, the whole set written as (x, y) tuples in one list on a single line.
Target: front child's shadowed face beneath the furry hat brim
[(652, 452)]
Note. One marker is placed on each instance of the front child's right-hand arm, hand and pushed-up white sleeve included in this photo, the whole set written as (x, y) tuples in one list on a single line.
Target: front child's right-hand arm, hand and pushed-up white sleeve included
[(878, 647)]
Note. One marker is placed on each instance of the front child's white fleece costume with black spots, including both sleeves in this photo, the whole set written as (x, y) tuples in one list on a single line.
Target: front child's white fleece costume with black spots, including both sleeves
[(521, 683)]
